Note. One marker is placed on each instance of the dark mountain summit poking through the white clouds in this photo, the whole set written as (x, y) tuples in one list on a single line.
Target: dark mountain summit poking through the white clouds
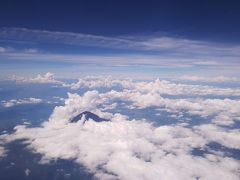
[(88, 115)]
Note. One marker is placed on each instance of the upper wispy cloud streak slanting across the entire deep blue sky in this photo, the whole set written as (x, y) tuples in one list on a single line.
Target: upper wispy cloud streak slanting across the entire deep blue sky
[(171, 45)]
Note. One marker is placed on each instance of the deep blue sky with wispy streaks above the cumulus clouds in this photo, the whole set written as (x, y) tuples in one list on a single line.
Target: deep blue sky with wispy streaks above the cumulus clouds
[(122, 38)]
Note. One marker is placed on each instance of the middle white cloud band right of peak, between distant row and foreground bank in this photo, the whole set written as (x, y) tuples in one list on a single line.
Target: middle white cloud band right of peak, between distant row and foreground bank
[(225, 111)]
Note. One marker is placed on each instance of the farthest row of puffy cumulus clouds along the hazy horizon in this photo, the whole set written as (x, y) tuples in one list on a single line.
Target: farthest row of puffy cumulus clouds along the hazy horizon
[(158, 86)]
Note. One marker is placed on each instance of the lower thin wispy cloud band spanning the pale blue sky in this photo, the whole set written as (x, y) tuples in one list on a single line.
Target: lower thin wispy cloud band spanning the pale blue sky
[(122, 59)]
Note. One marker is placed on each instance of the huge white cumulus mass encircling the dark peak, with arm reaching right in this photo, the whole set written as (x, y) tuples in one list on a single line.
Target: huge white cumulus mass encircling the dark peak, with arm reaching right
[(125, 148)]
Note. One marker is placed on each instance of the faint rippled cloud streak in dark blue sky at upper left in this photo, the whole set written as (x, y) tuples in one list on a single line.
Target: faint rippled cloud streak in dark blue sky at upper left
[(43, 36)]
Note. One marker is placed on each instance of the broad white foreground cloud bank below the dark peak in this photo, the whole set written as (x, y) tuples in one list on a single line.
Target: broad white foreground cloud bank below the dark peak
[(123, 149)]
